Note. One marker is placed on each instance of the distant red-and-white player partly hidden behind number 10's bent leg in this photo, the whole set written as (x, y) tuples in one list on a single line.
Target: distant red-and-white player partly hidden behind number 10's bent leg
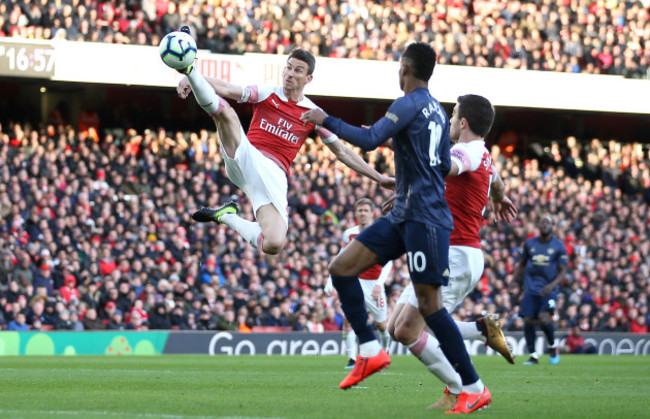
[(372, 283)]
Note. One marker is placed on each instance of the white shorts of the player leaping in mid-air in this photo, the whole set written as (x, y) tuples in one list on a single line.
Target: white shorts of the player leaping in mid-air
[(261, 179)]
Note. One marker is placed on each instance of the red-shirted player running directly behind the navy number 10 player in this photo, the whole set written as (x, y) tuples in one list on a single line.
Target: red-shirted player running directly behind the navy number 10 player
[(471, 182)]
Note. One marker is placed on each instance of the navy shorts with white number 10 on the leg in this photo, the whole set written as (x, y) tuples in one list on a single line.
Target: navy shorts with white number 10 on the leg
[(426, 247)]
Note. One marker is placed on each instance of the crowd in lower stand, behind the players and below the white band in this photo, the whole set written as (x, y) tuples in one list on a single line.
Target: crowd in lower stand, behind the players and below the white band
[(97, 234)]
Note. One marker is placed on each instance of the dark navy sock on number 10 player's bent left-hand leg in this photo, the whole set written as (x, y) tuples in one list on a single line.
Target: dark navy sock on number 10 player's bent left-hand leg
[(353, 304)]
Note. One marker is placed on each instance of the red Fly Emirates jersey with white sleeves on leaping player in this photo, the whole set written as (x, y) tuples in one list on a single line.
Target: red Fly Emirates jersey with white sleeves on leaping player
[(276, 129)]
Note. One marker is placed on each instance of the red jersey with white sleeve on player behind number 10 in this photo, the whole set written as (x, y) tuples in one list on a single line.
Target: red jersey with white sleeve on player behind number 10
[(468, 193)]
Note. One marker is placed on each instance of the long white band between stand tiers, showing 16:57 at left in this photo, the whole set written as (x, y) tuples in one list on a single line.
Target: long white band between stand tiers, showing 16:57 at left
[(140, 65)]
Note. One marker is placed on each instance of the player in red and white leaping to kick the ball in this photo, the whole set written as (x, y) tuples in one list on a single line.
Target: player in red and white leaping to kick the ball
[(259, 162)]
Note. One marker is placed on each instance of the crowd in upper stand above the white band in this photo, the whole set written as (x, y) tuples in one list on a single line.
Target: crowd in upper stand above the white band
[(603, 37)]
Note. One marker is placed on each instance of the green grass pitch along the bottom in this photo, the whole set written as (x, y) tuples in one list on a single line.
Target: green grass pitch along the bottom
[(307, 387)]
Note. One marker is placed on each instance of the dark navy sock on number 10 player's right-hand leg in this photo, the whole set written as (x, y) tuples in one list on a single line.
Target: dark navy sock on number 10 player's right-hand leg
[(452, 345)]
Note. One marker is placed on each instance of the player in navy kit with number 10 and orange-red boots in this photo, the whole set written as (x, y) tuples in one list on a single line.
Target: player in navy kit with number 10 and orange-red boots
[(419, 224)]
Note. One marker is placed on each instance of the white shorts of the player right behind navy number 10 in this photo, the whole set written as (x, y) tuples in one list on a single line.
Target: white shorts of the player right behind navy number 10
[(465, 270)]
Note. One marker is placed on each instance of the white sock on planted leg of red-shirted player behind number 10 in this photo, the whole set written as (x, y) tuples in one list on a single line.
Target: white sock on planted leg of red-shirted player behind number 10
[(427, 350)]
